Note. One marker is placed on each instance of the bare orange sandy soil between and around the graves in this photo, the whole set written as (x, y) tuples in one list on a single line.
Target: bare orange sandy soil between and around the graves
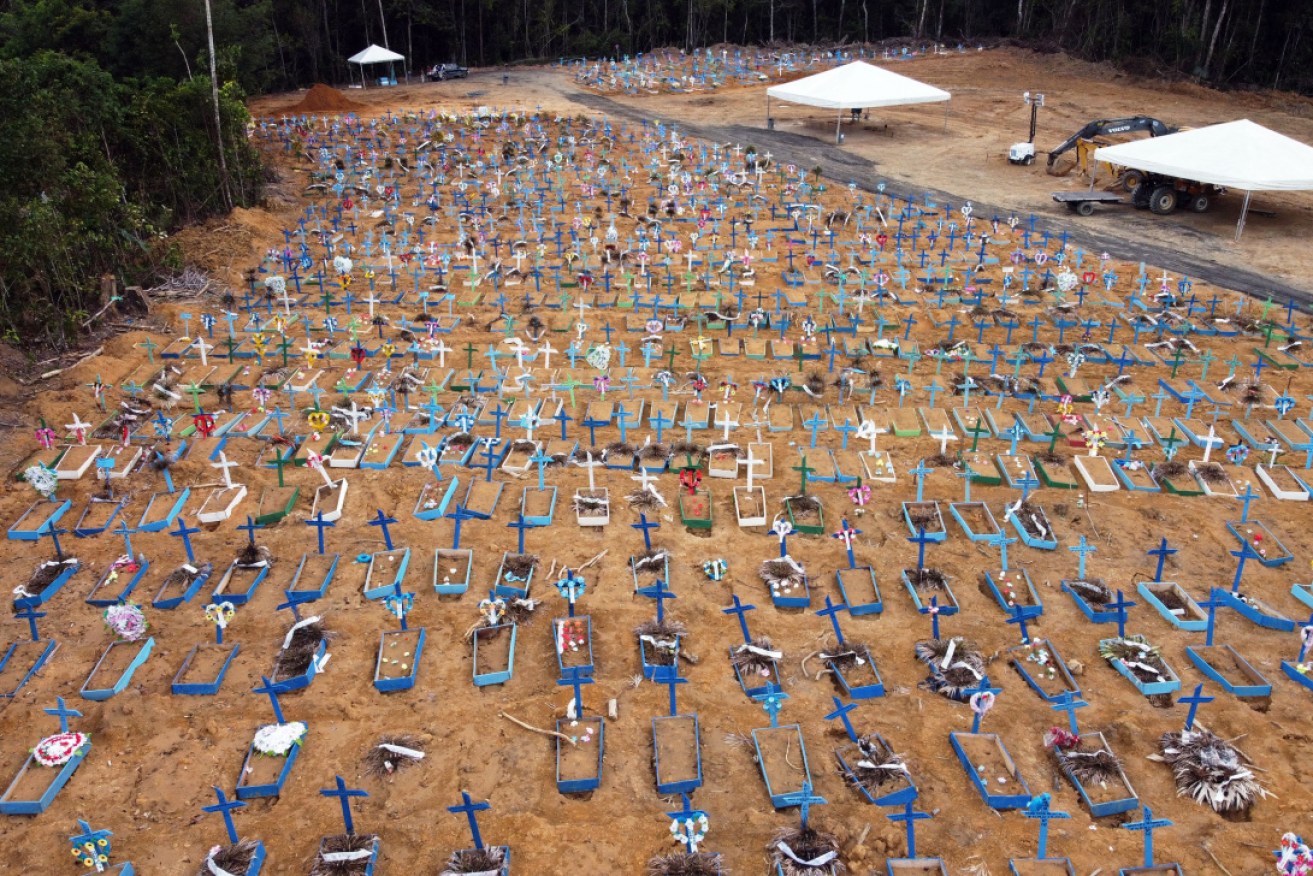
[(156, 757)]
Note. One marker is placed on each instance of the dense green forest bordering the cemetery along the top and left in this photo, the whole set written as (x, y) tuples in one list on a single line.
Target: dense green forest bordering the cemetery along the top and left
[(112, 133)]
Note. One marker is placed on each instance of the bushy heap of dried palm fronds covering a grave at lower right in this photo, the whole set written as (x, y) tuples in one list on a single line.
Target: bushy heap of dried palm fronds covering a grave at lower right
[(1210, 770)]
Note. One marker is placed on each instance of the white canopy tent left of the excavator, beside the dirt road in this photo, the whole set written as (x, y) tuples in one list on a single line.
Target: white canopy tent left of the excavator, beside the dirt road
[(857, 86)]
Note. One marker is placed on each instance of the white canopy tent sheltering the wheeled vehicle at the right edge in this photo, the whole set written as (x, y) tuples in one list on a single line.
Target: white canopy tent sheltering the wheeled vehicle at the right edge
[(1238, 156)]
